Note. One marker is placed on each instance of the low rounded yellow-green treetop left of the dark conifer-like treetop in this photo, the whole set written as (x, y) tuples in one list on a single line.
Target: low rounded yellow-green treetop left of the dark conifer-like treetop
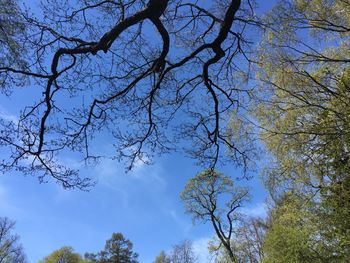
[(63, 255)]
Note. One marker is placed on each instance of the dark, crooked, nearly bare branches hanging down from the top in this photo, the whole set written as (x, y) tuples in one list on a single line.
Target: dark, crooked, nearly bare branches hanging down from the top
[(137, 74)]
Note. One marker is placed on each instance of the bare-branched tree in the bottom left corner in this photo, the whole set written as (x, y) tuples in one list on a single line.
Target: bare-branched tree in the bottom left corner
[(10, 250)]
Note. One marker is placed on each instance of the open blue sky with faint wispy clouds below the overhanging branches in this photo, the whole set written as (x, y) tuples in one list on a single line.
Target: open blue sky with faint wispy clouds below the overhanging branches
[(143, 205)]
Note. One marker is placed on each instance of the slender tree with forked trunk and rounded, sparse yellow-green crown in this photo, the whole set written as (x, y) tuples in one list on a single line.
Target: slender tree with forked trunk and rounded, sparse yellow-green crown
[(211, 196)]
